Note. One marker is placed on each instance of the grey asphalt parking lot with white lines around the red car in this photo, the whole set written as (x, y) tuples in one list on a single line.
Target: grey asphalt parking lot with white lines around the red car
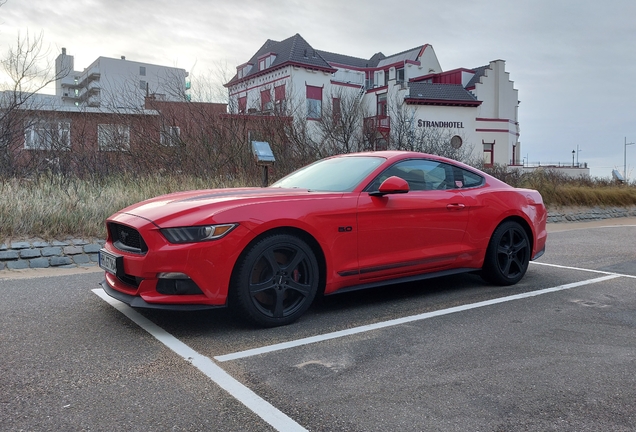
[(555, 352)]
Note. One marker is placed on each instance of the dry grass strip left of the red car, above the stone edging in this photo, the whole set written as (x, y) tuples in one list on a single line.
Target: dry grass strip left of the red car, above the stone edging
[(56, 207)]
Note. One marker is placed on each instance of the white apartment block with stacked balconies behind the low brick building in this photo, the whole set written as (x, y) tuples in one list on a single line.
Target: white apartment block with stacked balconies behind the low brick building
[(117, 83)]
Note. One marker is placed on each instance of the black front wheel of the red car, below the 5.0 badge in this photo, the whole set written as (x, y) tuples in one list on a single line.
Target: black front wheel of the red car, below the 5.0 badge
[(276, 280)]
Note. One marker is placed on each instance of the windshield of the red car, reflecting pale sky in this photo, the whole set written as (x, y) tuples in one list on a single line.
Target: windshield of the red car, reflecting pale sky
[(340, 174)]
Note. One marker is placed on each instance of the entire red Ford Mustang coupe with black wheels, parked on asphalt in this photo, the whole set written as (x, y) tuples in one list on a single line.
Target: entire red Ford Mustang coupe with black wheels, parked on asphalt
[(343, 223)]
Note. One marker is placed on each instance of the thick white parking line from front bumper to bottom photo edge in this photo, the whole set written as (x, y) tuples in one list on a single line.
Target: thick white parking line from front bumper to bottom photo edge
[(247, 397)]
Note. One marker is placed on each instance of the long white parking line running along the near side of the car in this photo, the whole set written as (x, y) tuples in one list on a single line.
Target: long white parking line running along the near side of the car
[(398, 321)]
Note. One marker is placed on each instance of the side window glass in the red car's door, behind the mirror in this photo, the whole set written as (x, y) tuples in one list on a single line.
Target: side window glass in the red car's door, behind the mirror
[(420, 174)]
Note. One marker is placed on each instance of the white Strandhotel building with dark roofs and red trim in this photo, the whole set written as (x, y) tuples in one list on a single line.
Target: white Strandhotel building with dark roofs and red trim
[(478, 105)]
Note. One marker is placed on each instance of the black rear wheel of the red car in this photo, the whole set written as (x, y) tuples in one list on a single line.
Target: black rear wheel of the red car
[(508, 255)]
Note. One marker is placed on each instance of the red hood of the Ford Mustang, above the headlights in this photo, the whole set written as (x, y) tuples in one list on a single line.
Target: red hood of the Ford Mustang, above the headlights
[(173, 209)]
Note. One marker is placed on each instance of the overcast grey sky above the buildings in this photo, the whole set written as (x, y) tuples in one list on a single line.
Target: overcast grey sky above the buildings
[(573, 61)]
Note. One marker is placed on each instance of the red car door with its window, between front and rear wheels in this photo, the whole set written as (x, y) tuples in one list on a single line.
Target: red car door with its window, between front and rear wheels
[(422, 230)]
